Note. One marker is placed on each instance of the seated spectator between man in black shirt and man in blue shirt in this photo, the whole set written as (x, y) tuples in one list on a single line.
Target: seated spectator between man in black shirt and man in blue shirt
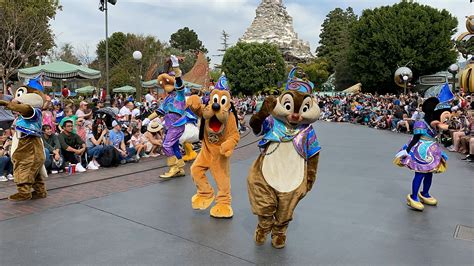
[(96, 139)]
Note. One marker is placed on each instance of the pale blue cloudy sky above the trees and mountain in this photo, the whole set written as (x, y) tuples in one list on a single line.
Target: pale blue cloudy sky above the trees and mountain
[(82, 24)]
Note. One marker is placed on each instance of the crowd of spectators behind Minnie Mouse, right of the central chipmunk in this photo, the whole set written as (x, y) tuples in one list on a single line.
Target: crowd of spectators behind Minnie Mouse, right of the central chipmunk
[(399, 113)]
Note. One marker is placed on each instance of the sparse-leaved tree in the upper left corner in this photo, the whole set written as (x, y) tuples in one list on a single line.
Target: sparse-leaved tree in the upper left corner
[(25, 33)]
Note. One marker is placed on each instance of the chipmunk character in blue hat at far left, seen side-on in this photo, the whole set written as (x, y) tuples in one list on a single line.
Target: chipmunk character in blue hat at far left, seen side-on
[(27, 147)]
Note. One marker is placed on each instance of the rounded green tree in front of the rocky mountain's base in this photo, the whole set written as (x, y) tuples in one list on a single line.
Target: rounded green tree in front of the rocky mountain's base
[(251, 67)]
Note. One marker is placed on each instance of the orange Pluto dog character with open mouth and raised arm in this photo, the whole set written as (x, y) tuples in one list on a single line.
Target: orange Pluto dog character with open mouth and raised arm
[(219, 137)]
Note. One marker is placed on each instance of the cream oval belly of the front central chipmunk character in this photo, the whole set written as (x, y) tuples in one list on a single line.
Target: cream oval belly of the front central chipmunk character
[(283, 169)]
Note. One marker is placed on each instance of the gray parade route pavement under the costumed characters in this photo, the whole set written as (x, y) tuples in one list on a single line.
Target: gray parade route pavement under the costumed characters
[(355, 214)]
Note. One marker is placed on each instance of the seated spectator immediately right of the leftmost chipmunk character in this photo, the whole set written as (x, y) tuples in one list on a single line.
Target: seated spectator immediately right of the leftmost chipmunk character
[(52, 150)]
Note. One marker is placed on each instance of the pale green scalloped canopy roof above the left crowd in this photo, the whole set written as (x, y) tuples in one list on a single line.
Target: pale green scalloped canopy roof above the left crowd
[(59, 70)]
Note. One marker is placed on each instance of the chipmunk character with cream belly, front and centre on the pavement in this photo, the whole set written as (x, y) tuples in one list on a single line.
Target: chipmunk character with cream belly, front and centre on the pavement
[(286, 168)]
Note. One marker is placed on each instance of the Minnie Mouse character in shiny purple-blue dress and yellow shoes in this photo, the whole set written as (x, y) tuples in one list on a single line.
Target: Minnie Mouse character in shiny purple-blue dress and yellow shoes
[(423, 154)]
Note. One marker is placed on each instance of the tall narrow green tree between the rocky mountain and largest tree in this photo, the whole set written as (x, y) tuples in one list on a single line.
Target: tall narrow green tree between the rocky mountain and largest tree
[(334, 37)]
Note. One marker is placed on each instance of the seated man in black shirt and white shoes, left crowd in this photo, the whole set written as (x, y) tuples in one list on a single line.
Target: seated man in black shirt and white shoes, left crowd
[(72, 146)]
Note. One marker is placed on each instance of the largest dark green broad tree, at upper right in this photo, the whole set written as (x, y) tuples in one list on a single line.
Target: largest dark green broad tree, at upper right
[(391, 36)]
